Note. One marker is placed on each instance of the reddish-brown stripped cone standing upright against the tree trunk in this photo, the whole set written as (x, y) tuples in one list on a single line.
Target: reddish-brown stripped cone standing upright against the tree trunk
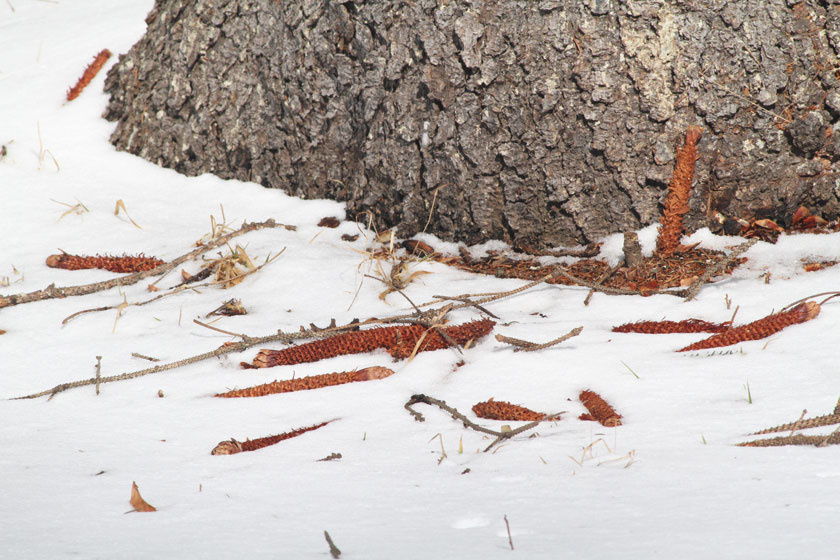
[(679, 192)]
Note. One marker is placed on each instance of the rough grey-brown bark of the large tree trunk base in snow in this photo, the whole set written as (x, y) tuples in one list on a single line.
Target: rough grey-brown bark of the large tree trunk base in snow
[(541, 122)]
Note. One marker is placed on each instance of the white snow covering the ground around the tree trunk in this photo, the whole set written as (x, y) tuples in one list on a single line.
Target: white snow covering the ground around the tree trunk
[(668, 483)]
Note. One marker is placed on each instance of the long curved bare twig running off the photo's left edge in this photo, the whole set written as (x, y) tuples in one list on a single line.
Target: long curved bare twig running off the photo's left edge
[(52, 291)]
